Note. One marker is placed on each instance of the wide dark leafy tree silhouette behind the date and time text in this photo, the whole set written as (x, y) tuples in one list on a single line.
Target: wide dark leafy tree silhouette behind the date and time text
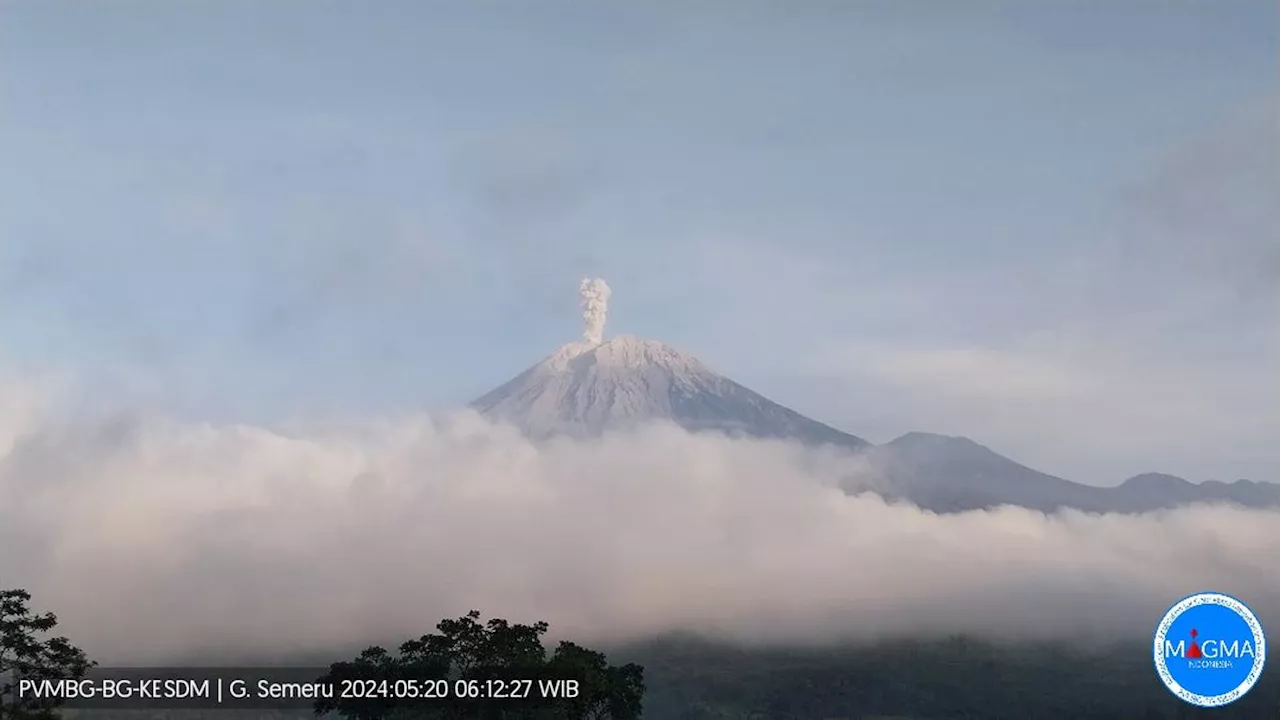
[(469, 654)]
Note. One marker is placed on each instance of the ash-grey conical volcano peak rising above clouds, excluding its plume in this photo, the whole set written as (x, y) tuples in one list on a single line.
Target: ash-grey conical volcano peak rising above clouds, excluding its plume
[(587, 389)]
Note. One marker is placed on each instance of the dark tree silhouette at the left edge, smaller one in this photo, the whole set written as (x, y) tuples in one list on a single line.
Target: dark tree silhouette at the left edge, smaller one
[(25, 657)]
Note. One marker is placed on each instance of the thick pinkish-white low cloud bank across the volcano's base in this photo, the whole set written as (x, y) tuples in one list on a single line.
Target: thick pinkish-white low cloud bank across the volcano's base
[(157, 541)]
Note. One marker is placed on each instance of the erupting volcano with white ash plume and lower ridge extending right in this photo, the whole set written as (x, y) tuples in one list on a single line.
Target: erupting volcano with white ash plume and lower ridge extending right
[(595, 386)]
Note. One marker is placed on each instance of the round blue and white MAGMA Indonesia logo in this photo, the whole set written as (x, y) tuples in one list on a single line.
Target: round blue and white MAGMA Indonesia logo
[(1210, 649)]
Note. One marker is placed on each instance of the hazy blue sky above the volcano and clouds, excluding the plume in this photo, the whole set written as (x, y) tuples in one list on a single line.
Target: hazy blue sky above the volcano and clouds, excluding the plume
[(1053, 227)]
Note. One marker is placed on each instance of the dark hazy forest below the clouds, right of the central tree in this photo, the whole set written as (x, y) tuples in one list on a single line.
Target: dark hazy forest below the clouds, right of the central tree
[(950, 680)]
